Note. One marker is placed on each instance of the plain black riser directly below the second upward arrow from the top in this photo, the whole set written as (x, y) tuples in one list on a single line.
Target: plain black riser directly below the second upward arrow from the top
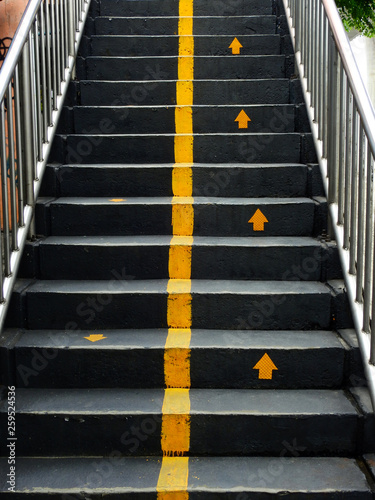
[(208, 148)]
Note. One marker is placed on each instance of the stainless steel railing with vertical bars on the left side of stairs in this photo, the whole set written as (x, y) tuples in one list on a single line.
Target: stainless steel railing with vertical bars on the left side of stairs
[(33, 82)]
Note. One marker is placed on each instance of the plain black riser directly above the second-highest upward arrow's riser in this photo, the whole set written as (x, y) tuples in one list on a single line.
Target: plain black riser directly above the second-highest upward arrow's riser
[(162, 92)]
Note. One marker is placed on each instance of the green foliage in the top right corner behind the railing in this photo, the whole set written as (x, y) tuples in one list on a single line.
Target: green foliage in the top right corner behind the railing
[(359, 15)]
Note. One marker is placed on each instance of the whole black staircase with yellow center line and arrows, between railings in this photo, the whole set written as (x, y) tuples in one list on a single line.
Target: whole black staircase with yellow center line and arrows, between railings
[(180, 328)]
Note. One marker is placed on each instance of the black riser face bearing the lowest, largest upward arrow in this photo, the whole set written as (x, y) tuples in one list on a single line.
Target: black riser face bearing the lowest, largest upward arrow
[(209, 368)]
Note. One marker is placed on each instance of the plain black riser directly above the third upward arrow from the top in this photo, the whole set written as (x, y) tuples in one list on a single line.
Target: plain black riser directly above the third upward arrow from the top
[(232, 181)]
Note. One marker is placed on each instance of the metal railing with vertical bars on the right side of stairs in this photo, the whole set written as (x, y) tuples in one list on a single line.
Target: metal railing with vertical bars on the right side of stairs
[(343, 125)]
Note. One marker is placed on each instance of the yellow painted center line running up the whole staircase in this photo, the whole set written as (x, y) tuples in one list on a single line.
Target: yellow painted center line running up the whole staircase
[(175, 432)]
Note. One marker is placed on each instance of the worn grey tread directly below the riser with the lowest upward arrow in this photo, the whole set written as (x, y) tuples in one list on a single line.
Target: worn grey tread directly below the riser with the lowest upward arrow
[(150, 401)]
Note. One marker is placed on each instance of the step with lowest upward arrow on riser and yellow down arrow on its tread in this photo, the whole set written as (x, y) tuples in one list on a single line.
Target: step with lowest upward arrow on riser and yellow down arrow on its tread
[(221, 359)]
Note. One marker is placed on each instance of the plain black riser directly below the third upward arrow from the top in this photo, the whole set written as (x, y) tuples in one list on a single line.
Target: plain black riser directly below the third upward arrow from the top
[(151, 262)]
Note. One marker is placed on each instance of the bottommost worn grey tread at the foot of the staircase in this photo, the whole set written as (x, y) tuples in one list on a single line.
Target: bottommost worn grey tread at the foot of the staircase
[(225, 477)]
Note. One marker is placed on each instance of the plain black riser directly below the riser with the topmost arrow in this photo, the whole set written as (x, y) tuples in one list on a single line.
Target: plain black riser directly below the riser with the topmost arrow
[(166, 68)]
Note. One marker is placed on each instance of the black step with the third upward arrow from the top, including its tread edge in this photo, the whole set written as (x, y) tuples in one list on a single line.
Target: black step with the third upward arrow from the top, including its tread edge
[(152, 216)]
